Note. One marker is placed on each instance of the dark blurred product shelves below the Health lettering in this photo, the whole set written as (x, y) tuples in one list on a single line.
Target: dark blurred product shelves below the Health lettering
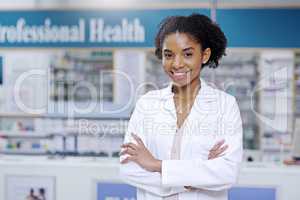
[(73, 72)]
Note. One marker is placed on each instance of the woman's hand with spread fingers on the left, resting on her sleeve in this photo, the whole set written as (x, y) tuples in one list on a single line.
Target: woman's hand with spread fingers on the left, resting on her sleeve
[(139, 154)]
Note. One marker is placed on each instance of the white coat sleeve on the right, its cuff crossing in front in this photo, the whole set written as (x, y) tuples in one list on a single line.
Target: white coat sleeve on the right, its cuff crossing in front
[(216, 174)]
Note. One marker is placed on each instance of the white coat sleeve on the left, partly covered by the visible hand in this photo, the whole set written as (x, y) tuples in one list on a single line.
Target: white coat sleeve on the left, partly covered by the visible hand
[(135, 175)]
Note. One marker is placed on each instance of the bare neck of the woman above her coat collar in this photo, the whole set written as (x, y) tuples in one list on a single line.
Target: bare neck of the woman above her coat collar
[(188, 91)]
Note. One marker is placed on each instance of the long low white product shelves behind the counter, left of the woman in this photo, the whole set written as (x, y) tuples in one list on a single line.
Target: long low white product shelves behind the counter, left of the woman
[(73, 137)]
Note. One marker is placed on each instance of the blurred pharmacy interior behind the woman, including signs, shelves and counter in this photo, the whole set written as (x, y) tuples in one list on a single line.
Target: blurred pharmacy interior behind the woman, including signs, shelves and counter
[(71, 72)]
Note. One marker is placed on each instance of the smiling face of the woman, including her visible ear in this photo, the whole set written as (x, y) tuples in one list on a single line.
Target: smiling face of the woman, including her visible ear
[(182, 58)]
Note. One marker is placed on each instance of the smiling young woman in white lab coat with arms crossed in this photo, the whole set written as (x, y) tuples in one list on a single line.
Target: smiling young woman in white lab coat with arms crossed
[(184, 142)]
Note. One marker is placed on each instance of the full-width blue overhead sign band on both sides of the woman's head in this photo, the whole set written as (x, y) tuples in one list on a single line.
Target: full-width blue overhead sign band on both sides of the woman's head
[(137, 28)]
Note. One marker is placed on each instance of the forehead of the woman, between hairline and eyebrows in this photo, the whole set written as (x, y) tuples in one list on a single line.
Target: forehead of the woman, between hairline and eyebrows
[(179, 40)]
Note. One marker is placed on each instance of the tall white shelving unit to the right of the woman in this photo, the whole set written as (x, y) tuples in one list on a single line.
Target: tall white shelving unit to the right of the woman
[(276, 116)]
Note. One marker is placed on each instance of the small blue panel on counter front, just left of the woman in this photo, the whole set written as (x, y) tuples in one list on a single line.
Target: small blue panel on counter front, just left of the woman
[(115, 191)]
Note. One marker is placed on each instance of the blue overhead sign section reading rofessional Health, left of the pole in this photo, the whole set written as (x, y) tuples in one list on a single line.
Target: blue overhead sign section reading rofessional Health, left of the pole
[(109, 28)]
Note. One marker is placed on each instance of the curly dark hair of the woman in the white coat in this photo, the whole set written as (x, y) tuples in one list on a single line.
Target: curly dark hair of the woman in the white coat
[(201, 28)]
